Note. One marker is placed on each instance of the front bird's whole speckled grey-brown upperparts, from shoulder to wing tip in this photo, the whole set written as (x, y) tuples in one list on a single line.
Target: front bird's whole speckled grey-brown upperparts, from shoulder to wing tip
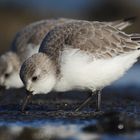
[(99, 39)]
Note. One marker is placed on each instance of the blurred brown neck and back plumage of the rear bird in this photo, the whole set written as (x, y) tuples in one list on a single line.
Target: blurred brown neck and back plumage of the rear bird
[(33, 34)]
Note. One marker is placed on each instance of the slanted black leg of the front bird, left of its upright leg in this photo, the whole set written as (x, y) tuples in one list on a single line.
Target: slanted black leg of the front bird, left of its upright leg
[(86, 101)]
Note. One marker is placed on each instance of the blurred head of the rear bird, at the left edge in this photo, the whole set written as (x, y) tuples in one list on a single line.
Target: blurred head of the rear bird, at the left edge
[(9, 71)]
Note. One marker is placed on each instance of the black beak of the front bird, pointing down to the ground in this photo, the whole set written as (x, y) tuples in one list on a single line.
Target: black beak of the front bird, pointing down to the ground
[(26, 100)]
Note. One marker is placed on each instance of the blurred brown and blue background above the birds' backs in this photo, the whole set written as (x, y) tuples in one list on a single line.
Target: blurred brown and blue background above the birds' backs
[(15, 14)]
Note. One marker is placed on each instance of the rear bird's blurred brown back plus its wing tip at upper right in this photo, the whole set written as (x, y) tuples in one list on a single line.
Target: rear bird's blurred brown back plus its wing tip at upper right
[(35, 32)]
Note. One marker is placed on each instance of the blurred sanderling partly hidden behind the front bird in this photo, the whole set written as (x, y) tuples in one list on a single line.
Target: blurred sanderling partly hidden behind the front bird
[(25, 44)]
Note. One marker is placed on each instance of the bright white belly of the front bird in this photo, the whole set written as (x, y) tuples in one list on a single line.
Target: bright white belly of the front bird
[(81, 71)]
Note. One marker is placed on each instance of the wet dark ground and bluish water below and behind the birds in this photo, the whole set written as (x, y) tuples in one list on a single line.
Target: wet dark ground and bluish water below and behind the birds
[(54, 114)]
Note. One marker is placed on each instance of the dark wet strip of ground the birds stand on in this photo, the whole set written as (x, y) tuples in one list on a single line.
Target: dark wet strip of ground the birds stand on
[(63, 105)]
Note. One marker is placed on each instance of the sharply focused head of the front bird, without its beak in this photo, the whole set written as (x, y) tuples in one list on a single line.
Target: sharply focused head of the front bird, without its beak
[(38, 74)]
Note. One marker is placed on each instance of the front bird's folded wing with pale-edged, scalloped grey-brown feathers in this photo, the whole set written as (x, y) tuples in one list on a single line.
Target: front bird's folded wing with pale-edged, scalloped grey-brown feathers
[(103, 40)]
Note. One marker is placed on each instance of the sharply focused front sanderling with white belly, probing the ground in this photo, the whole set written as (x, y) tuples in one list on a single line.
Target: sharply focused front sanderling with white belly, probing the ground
[(80, 55)]
